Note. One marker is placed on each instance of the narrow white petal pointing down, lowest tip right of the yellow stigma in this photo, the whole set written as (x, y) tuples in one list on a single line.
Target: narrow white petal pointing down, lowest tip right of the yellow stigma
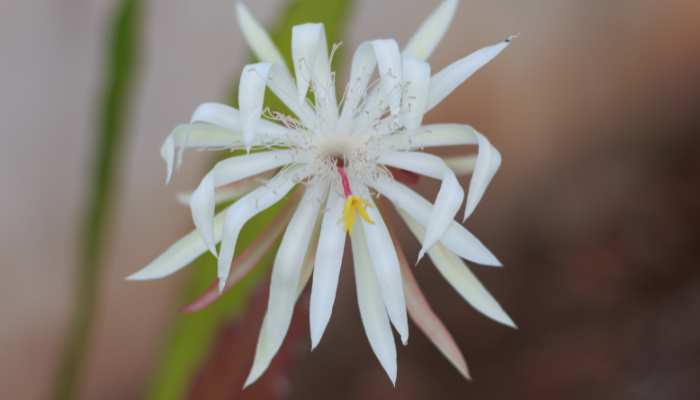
[(372, 310)]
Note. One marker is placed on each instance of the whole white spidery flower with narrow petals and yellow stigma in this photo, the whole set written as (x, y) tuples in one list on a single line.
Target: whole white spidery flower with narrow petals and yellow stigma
[(338, 154)]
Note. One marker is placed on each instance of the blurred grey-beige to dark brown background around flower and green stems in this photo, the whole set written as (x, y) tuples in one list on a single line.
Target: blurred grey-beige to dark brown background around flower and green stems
[(594, 212)]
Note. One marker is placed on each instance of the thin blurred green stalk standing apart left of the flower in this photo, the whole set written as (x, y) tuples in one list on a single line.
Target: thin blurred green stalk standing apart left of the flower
[(121, 59)]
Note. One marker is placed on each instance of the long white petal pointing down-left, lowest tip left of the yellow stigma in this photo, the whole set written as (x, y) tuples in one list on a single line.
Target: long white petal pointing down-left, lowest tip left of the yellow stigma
[(284, 283)]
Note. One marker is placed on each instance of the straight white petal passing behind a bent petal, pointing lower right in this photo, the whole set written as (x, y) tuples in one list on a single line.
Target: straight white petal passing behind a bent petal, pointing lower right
[(456, 238)]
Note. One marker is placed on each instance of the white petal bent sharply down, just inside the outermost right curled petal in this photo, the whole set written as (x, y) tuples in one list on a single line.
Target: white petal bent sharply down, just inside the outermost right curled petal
[(448, 199)]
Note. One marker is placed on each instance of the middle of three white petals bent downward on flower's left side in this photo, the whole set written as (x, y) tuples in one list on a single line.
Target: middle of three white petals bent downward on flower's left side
[(224, 172)]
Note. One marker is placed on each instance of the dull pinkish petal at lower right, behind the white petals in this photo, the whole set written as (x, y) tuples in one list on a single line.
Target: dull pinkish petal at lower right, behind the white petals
[(424, 317)]
